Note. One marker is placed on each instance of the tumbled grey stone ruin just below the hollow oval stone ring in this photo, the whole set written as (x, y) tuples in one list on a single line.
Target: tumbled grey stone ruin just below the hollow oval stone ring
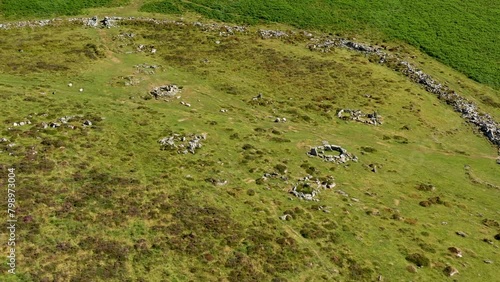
[(308, 188)]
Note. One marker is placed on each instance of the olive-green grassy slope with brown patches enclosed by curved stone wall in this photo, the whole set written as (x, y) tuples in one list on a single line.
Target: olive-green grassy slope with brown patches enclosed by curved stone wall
[(104, 203)]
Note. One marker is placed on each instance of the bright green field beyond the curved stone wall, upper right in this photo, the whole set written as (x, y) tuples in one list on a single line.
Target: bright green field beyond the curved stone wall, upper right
[(459, 34)]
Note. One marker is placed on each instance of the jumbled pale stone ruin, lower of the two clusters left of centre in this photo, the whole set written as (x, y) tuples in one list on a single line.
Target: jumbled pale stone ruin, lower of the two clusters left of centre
[(183, 144)]
